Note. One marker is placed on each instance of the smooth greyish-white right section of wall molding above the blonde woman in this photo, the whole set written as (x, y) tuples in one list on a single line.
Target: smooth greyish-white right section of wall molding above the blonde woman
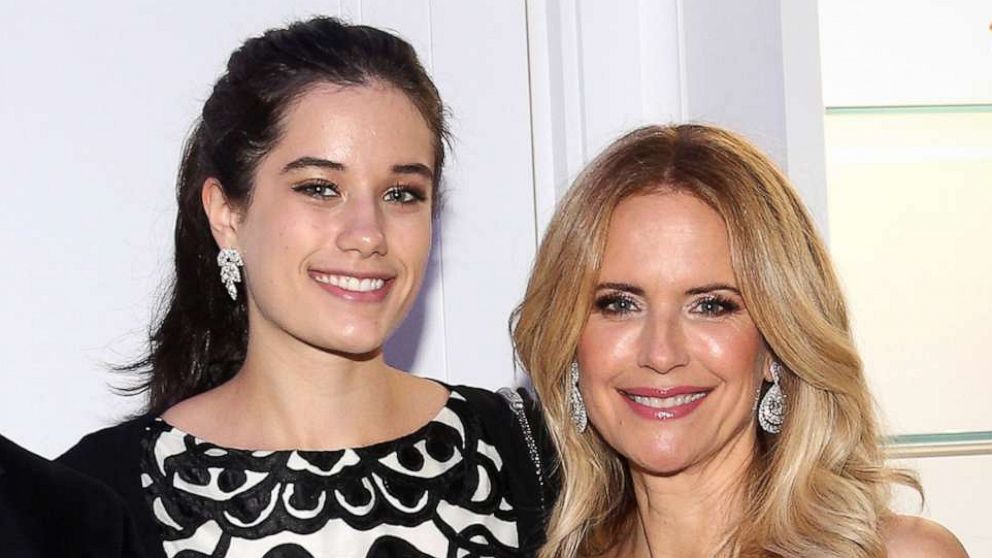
[(754, 67)]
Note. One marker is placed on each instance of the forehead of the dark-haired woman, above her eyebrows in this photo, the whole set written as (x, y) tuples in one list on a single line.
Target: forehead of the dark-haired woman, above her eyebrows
[(355, 124)]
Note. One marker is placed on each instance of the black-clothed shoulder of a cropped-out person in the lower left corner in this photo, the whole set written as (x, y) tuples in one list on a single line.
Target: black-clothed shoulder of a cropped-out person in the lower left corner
[(48, 510)]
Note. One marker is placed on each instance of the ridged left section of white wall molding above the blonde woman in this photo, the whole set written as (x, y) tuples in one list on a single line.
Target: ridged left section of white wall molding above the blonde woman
[(597, 70)]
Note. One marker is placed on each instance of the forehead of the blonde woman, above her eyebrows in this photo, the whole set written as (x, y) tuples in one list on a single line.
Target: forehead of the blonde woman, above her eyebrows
[(673, 236)]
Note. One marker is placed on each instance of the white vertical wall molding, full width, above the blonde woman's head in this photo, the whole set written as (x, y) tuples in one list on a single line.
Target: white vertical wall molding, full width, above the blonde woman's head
[(598, 70)]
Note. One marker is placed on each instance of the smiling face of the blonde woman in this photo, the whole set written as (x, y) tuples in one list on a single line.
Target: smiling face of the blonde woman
[(670, 358)]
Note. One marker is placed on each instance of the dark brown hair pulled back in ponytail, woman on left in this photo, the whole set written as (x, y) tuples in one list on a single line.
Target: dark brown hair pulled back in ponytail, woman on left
[(200, 339)]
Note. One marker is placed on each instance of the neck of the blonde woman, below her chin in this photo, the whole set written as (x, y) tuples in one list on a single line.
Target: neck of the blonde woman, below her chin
[(690, 513)]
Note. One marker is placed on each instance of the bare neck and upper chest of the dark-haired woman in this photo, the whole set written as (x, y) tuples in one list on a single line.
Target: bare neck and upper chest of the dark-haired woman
[(290, 395)]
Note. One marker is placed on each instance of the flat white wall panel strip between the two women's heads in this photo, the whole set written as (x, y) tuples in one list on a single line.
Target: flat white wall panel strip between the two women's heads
[(488, 232)]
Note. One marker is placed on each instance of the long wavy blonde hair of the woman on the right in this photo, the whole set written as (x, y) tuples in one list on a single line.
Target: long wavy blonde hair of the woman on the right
[(820, 487)]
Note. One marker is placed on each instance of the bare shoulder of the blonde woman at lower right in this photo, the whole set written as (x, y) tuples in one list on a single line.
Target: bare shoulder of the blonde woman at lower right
[(911, 537)]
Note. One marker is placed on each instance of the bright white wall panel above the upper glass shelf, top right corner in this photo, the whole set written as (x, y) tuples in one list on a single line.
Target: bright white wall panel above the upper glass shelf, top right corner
[(906, 52)]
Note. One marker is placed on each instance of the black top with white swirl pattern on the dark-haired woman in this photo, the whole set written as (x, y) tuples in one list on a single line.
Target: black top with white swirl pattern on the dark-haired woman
[(467, 481)]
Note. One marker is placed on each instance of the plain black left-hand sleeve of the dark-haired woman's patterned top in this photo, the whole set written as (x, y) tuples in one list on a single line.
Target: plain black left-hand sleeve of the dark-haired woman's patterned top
[(113, 456)]
